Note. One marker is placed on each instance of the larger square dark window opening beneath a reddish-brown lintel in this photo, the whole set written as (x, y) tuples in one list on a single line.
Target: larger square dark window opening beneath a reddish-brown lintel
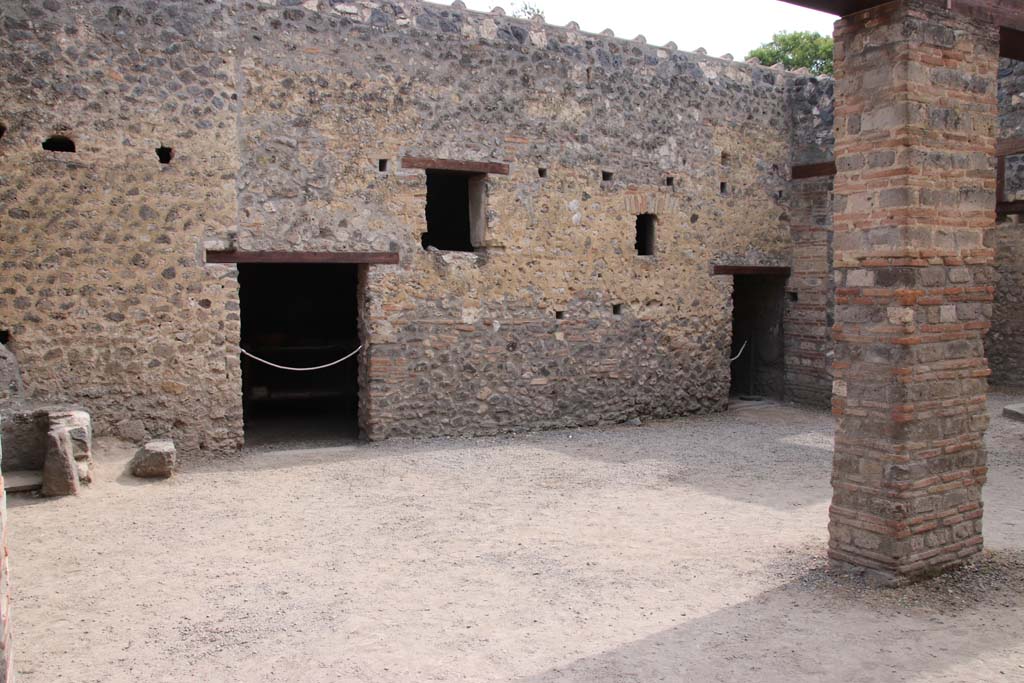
[(456, 211)]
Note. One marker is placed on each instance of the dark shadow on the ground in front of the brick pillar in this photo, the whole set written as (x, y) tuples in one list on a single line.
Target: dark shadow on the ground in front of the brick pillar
[(962, 626)]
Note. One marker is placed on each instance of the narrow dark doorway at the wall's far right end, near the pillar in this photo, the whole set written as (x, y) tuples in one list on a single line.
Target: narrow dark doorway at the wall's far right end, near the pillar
[(758, 307)]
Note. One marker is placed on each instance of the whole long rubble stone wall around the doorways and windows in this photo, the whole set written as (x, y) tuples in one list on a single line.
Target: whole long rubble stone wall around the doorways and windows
[(279, 114)]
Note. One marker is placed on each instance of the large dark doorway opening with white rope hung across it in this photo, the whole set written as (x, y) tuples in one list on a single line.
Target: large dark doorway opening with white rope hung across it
[(300, 316)]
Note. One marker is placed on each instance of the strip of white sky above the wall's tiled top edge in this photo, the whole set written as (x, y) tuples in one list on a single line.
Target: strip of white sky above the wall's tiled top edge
[(718, 26)]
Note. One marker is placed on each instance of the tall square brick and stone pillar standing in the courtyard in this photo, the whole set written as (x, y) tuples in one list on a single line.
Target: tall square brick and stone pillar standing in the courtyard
[(916, 118)]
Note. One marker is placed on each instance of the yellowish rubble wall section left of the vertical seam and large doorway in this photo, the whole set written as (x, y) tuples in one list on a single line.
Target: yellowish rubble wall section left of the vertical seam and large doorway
[(104, 290)]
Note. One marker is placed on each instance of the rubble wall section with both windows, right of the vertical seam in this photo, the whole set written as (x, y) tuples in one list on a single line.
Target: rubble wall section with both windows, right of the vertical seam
[(471, 344)]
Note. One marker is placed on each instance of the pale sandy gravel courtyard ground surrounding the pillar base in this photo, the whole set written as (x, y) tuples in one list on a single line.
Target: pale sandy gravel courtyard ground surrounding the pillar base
[(688, 550)]
